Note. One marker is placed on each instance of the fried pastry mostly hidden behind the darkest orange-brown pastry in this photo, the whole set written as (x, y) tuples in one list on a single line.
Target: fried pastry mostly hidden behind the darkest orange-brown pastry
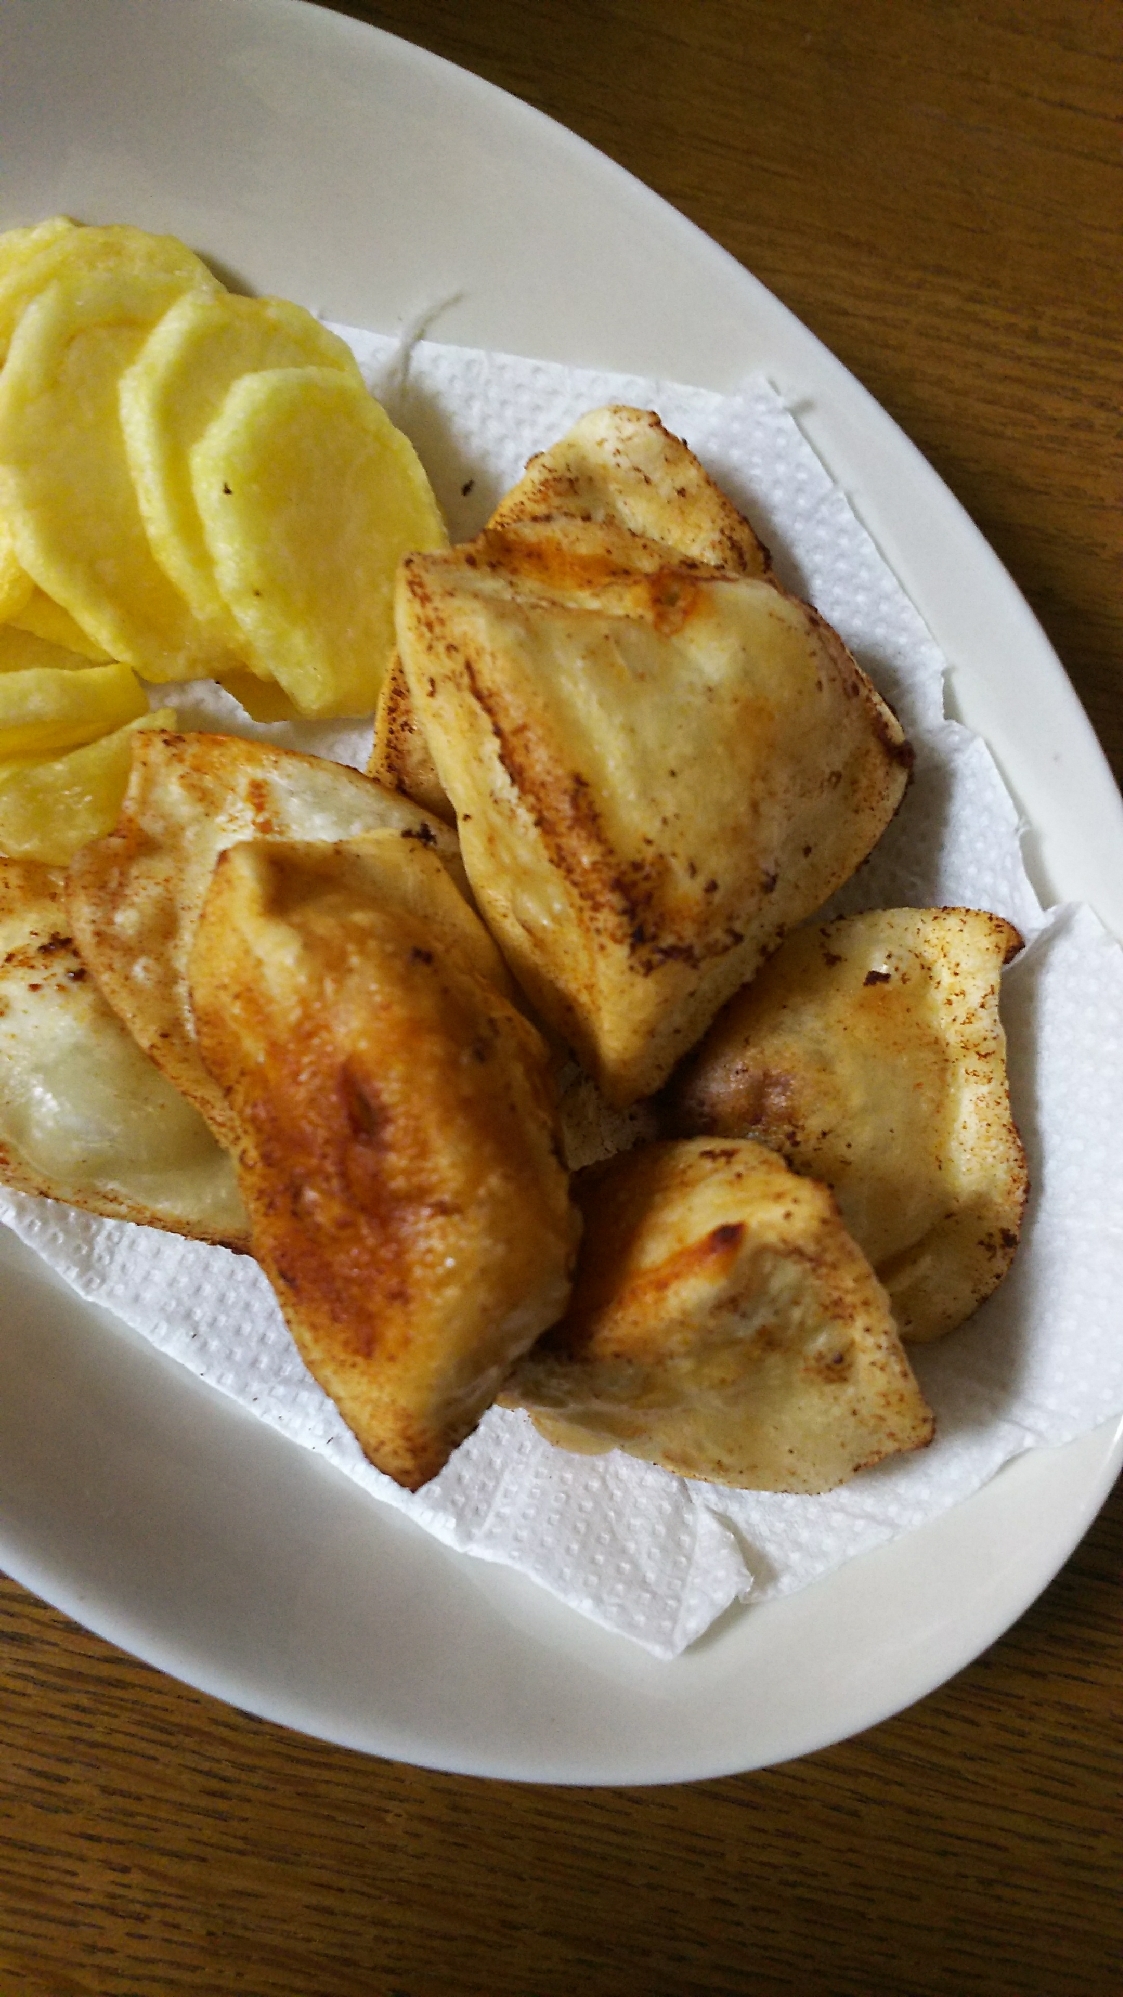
[(137, 896)]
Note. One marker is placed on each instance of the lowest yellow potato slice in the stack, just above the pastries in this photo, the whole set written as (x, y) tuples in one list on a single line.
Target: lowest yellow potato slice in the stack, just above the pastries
[(51, 810)]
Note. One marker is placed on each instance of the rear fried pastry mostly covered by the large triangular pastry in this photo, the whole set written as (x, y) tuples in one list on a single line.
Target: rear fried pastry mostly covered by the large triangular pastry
[(616, 466)]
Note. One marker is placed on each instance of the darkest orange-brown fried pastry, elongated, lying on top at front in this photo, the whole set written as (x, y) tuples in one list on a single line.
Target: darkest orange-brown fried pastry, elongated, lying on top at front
[(399, 1149)]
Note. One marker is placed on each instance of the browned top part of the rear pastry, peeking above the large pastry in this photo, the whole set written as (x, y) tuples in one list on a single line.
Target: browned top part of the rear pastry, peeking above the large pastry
[(622, 468)]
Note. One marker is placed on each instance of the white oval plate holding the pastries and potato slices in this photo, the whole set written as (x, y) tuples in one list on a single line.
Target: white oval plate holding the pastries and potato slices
[(313, 157)]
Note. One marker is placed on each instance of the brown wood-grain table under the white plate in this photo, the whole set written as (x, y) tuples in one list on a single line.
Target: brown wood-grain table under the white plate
[(934, 189)]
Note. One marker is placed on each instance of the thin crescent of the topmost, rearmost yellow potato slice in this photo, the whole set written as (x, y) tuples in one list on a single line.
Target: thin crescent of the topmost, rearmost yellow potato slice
[(85, 253)]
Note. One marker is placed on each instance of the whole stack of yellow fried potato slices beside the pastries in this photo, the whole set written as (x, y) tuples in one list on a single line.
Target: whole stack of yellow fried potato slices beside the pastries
[(193, 484)]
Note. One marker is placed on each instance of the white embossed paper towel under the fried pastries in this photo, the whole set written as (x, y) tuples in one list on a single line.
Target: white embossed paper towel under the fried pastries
[(638, 1551)]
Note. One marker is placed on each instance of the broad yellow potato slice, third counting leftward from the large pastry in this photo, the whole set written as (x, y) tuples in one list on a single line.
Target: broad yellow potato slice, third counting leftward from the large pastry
[(65, 482)]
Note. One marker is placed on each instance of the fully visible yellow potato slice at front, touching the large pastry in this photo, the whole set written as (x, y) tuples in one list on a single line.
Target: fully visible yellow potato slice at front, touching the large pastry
[(309, 498)]
